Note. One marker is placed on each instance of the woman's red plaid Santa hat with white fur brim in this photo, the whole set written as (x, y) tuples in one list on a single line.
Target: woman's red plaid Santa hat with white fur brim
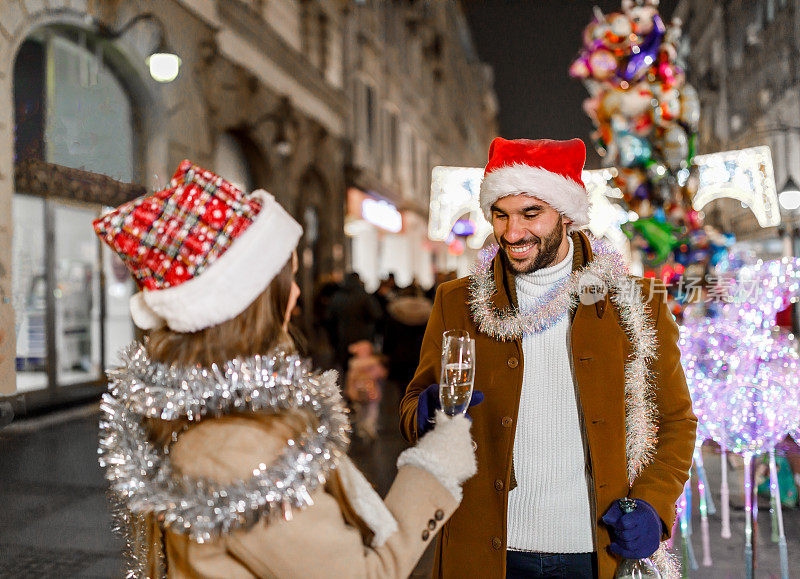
[(201, 250)]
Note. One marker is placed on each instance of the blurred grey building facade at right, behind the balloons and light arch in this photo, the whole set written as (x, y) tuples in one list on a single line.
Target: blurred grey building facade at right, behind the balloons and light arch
[(743, 59)]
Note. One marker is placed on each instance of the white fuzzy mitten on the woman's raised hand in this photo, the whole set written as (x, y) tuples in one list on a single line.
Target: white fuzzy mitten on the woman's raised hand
[(446, 452)]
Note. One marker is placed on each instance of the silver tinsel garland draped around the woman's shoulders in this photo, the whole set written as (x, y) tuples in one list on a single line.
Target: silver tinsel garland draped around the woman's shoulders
[(141, 476)]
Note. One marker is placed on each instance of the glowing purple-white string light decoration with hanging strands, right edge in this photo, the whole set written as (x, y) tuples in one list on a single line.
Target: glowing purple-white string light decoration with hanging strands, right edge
[(743, 375)]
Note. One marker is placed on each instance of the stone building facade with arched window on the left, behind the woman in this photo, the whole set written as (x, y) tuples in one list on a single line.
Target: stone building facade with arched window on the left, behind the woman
[(270, 94)]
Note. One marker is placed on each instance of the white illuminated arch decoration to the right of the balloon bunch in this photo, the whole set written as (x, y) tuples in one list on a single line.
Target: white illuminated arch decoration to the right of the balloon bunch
[(745, 175)]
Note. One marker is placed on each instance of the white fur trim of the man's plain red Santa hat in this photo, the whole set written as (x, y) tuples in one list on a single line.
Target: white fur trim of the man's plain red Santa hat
[(562, 194)]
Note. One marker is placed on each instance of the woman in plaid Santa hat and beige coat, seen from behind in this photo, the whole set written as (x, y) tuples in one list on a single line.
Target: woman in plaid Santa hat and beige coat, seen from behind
[(224, 449)]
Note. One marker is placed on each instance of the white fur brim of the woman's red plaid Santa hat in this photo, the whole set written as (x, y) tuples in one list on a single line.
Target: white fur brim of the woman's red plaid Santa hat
[(231, 283)]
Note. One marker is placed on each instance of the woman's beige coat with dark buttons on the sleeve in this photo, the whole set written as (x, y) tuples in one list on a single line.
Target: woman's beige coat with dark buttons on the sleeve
[(317, 542)]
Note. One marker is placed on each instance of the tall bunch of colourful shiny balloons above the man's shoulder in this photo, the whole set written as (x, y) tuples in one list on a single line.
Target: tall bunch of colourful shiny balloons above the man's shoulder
[(644, 122)]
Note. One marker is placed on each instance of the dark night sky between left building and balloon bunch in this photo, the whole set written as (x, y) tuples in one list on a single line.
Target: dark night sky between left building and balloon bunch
[(530, 44)]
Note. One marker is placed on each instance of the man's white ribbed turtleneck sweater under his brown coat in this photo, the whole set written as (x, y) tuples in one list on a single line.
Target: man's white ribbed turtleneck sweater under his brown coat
[(549, 509)]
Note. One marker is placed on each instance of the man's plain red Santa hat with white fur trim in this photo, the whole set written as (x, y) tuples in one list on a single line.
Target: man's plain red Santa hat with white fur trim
[(545, 169)]
